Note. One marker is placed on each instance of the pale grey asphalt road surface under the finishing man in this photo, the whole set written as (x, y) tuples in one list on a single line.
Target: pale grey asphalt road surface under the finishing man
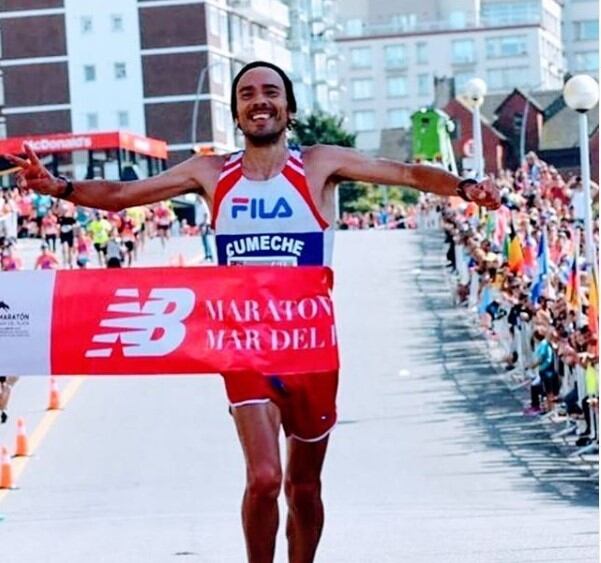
[(432, 460)]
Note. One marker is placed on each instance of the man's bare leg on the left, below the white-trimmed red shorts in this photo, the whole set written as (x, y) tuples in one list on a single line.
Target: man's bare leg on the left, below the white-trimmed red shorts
[(258, 429)]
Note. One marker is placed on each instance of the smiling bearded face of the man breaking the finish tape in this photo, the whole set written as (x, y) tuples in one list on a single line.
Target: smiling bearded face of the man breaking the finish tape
[(262, 108)]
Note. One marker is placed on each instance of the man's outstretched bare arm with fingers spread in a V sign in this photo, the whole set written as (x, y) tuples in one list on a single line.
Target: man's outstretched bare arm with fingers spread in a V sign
[(105, 194)]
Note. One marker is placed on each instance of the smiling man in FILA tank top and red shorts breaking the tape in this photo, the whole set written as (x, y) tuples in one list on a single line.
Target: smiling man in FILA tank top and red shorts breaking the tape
[(282, 197)]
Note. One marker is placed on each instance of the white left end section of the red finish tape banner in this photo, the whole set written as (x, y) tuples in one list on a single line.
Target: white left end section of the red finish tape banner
[(25, 322)]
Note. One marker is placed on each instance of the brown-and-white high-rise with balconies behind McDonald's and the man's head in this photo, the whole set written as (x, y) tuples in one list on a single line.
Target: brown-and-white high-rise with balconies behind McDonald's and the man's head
[(146, 66)]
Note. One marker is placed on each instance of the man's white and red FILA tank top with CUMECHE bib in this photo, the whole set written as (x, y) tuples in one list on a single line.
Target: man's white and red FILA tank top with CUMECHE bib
[(269, 222)]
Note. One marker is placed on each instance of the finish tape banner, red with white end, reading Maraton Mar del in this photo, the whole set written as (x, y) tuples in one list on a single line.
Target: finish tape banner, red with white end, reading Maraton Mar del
[(269, 320)]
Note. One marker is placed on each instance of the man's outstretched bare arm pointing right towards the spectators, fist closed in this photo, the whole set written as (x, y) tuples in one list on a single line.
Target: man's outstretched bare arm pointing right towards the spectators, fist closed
[(349, 164)]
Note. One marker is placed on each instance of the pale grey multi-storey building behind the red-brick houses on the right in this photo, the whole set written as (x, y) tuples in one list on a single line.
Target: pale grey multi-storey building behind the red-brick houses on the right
[(391, 52)]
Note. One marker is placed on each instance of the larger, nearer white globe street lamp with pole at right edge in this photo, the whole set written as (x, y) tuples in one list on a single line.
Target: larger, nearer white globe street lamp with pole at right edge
[(581, 93)]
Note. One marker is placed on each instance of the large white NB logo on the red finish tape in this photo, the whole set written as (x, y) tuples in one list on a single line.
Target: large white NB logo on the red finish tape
[(151, 329)]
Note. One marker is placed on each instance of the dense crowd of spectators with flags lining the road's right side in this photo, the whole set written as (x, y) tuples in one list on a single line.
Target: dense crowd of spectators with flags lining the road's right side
[(523, 268)]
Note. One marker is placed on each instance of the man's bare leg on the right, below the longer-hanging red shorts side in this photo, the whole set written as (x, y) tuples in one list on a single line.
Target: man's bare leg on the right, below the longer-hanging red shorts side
[(303, 493)]
